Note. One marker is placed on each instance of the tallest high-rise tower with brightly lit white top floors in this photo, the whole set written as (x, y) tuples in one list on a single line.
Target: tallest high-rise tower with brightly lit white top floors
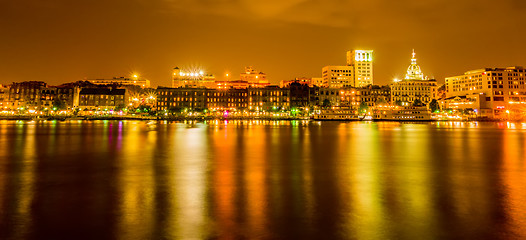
[(362, 62)]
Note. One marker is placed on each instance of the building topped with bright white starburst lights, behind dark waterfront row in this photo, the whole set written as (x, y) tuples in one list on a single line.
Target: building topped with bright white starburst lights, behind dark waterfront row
[(192, 79)]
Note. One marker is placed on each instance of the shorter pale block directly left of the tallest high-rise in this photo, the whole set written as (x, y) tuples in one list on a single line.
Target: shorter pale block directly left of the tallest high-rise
[(337, 76)]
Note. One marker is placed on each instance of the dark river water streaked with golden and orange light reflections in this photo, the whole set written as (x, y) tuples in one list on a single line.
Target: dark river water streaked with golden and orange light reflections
[(263, 180)]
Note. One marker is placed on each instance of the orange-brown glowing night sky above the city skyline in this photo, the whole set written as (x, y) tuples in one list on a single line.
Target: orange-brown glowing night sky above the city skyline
[(61, 41)]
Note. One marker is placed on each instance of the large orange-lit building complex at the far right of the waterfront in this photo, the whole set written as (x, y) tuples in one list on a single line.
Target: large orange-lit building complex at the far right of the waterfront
[(494, 90)]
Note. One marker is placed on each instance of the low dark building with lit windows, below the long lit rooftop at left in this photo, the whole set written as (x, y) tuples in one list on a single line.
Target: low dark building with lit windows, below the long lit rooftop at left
[(102, 99)]
